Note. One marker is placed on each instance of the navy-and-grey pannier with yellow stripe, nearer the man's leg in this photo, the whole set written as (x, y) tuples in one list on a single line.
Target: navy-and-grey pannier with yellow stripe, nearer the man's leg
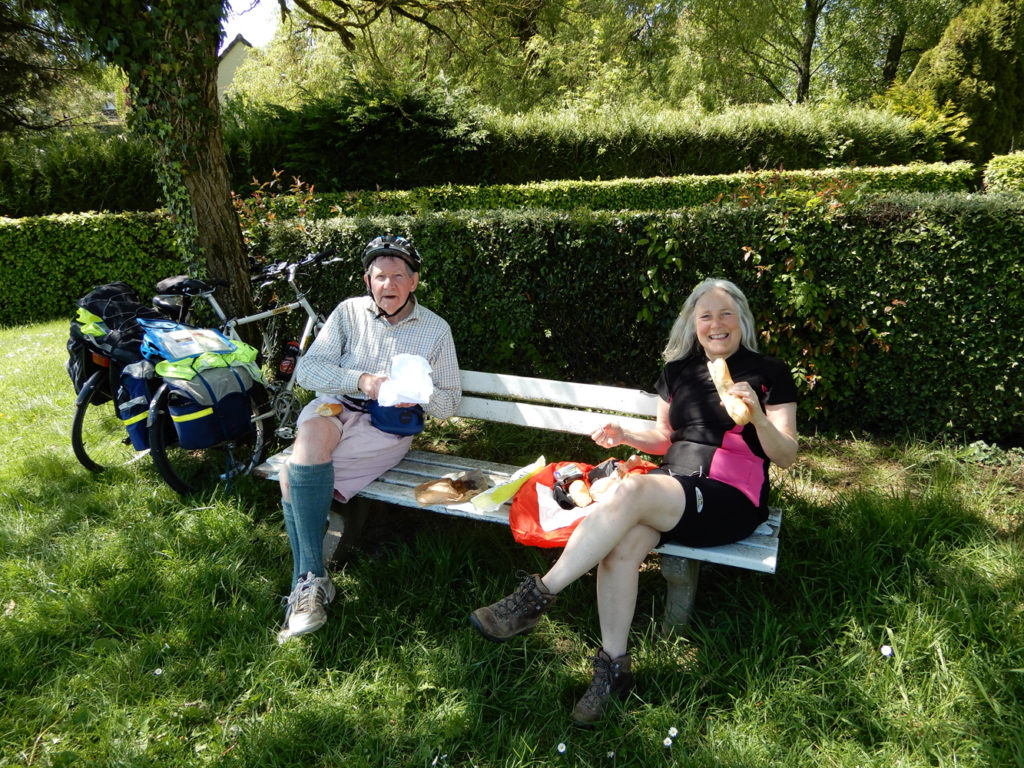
[(212, 407)]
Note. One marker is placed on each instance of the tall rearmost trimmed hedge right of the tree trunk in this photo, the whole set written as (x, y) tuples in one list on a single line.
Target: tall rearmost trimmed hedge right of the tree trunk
[(342, 147)]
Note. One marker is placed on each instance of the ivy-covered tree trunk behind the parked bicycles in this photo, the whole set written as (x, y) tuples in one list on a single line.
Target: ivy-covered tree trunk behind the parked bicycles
[(168, 50)]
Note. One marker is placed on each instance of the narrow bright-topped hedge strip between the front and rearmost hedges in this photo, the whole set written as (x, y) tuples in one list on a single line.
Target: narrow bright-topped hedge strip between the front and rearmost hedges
[(633, 194)]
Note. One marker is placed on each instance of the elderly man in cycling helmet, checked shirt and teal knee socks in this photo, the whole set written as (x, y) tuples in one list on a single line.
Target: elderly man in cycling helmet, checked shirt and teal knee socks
[(338, 451)]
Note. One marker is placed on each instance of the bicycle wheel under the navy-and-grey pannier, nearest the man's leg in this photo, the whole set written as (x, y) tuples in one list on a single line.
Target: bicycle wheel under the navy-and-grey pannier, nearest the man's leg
[(198, 471)]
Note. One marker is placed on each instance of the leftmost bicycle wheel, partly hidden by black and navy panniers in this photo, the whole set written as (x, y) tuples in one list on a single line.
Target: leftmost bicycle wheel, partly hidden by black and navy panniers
[(98, 437)]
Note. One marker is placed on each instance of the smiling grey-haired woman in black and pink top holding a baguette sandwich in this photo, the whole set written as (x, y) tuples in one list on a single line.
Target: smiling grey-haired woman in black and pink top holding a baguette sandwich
[(711, 489)]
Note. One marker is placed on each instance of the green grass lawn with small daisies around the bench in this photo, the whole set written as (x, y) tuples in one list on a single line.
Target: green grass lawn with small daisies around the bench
[(138, 628)]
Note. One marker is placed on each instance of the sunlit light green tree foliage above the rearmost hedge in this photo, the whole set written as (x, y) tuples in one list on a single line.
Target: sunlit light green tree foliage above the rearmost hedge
[(517, 56)]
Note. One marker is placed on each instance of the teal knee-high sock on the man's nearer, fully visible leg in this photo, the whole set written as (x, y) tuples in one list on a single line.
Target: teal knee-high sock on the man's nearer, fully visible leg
[(312, 490)]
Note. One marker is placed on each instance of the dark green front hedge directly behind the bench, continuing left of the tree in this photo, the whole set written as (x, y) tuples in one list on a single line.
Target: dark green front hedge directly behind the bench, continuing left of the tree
[(897, 315)]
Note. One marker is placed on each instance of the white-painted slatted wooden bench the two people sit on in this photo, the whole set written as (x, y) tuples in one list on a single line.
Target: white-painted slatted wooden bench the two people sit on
[(558, 406)]
